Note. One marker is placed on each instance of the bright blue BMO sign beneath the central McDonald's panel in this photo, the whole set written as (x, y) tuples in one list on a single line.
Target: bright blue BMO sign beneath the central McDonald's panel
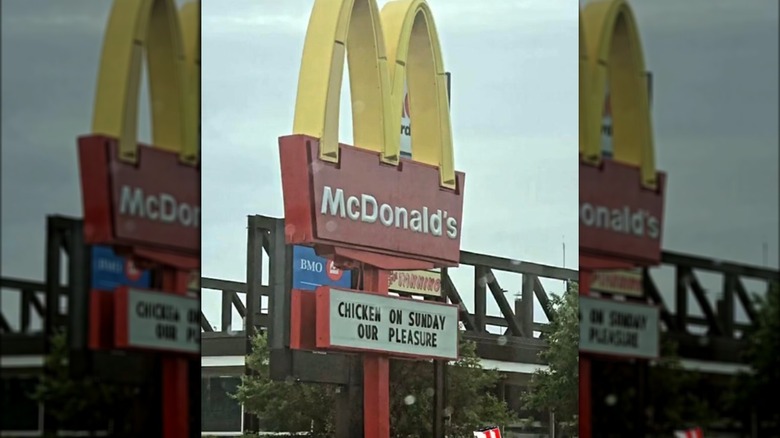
[(311, 271)]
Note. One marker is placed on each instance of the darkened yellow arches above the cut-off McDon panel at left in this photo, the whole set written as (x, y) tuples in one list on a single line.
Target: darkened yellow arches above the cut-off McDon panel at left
[(135, 25)]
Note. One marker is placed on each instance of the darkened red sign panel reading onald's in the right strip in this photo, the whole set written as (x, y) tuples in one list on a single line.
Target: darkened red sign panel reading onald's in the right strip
[(619, 219)]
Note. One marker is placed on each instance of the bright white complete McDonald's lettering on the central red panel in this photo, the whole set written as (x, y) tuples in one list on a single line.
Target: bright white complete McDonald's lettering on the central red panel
[(365, 208)]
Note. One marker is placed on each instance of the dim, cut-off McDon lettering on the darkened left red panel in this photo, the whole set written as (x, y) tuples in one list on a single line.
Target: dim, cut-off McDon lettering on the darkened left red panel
[(162, 207)]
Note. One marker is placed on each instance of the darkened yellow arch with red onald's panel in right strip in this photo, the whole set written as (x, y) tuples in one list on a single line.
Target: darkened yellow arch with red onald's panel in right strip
[(621, 197)]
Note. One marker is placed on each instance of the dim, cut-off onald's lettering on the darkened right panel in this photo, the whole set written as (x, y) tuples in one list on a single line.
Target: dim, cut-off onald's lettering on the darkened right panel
[(639, 223)]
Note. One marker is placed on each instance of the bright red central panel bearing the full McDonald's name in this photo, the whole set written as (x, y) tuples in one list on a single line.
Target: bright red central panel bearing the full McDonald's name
[(365, 205)]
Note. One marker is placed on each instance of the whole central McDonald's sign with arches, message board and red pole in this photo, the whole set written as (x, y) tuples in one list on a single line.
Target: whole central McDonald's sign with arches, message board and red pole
[(364, 206)]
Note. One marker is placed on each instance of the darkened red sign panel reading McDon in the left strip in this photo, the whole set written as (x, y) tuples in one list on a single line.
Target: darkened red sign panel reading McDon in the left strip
[(154, 203)]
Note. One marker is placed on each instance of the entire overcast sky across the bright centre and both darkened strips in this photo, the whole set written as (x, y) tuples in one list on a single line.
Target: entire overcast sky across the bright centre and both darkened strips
[(514, 106)]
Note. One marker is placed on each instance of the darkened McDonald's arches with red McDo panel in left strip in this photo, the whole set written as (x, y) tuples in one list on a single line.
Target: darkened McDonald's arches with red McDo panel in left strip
[(138, 194)]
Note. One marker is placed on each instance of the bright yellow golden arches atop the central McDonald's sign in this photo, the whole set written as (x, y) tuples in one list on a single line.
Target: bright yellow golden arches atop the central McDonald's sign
[(381, 52)]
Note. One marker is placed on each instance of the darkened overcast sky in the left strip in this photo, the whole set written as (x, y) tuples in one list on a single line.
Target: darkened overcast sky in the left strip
[(50, 55)]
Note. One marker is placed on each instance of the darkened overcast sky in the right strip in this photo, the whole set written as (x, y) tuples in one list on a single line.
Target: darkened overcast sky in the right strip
[(715, 114)]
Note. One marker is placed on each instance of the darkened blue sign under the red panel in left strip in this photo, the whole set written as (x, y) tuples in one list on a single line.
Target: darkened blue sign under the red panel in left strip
[(109, 271)]
